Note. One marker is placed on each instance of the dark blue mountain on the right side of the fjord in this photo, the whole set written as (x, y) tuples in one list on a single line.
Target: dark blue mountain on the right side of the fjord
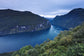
[(70, 20)]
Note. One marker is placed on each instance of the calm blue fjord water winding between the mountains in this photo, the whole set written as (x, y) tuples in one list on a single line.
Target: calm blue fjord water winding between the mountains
[(15, 42)]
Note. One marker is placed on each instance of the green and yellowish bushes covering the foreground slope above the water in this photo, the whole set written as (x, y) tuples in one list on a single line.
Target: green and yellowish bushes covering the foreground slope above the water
[(67, 43)]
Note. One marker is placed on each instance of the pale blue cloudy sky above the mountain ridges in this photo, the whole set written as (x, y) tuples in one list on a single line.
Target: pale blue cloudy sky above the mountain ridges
[(45, 8)]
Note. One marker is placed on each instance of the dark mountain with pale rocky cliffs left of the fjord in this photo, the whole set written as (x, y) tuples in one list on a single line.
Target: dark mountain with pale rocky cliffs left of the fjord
[(12, 21)]
